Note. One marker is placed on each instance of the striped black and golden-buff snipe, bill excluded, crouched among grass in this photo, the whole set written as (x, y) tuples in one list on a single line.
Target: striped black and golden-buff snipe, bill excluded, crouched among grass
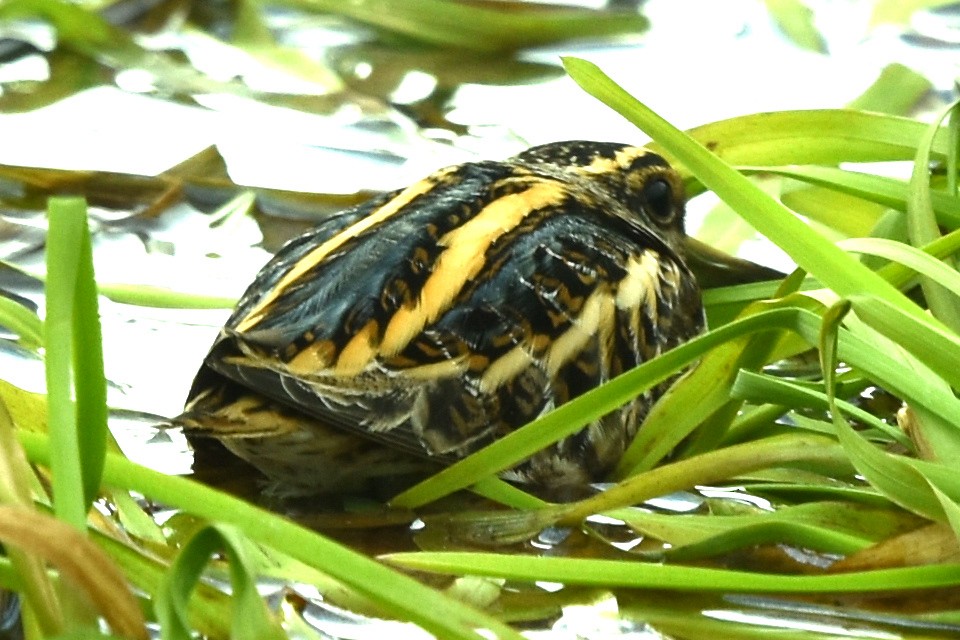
[(439, 317)]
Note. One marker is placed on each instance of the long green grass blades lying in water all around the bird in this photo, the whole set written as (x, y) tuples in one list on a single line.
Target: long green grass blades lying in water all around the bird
[(808, 459)]
